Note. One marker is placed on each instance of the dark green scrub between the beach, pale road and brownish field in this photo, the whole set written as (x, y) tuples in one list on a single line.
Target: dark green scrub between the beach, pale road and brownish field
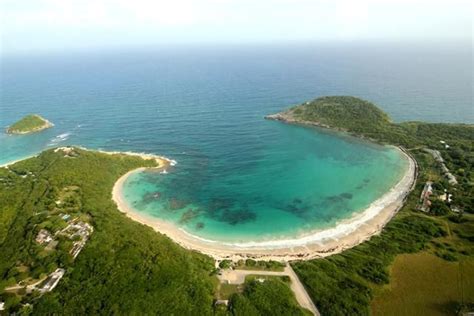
[(340, 284)]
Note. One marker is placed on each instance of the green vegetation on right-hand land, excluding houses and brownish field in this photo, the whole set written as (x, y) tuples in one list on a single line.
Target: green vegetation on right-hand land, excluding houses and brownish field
[(345, 284)]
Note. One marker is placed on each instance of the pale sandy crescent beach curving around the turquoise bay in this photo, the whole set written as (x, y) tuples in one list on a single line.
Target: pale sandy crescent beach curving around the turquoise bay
[(320, 243)]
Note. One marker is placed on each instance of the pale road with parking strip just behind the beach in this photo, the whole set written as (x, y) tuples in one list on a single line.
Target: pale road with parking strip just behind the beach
[(238, 277)]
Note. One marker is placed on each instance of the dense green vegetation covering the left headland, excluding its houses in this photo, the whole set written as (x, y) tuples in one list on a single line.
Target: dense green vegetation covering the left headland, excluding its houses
[(125, 267)]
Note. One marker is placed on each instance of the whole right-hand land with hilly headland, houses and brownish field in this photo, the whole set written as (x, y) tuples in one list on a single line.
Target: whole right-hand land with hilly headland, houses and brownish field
[(430, 240)]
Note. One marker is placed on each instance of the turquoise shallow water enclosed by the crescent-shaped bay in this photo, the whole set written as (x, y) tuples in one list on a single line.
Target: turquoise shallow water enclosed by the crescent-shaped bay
[(294, 180)]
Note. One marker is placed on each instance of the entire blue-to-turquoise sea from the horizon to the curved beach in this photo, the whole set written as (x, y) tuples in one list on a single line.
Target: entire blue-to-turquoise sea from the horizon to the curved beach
[(241, 176)]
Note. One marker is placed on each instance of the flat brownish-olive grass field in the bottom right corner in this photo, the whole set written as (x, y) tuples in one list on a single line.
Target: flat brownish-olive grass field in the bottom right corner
[(429, 292)]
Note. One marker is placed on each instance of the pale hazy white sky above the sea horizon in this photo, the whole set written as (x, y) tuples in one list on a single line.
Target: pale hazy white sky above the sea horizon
[(63, 25)]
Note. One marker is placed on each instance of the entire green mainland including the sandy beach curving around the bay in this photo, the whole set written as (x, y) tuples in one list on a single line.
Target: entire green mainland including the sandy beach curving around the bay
[(66, 248)]
